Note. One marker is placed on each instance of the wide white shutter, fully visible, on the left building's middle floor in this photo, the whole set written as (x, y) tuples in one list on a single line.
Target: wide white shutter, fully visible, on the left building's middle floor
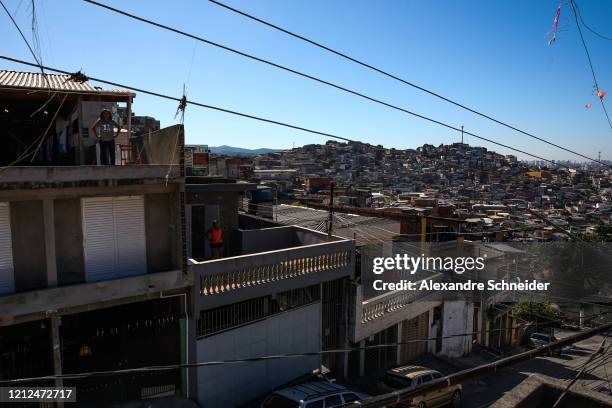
[(114, 237)]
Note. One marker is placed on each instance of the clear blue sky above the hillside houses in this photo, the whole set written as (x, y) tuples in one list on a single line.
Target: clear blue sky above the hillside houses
[(490, 55)]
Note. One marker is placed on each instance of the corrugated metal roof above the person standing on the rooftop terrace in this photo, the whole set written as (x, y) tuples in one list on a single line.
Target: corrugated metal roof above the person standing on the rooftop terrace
[(36, 80)]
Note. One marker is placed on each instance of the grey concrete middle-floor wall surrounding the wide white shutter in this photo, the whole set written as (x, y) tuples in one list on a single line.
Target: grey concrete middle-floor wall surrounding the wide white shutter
[(62, 254)]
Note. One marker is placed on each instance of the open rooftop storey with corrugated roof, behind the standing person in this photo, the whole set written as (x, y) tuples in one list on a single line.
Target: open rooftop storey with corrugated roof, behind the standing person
[(53, 115)]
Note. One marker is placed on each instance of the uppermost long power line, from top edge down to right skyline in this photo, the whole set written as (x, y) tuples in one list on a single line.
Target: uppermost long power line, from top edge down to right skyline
[(395, 77)]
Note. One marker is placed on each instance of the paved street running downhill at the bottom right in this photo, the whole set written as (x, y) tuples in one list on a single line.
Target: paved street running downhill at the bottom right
[(485, 391)]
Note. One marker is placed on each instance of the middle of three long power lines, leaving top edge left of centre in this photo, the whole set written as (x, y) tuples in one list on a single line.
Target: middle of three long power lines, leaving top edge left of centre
[(319, 80)]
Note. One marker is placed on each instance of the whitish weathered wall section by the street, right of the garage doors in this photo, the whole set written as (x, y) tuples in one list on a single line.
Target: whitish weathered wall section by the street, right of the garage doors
[(457, 318)]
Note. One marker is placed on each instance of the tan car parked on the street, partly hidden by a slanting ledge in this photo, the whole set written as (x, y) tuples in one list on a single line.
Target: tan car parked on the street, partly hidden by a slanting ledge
[(413, 376)]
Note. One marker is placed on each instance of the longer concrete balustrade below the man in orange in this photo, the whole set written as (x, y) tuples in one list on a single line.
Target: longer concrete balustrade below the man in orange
[(225, 275)]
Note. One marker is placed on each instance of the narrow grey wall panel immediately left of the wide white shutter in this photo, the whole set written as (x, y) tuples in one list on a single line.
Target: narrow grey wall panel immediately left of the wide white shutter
[(69, 241)]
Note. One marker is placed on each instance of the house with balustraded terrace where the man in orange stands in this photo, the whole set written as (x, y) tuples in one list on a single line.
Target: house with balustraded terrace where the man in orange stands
[(281, 289)]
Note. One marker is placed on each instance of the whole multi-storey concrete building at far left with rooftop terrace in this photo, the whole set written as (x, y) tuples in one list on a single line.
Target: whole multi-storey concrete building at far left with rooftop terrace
[(93, 269)]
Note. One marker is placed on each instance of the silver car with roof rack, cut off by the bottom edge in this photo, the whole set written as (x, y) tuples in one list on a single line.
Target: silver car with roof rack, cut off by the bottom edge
[(316, 394)]
